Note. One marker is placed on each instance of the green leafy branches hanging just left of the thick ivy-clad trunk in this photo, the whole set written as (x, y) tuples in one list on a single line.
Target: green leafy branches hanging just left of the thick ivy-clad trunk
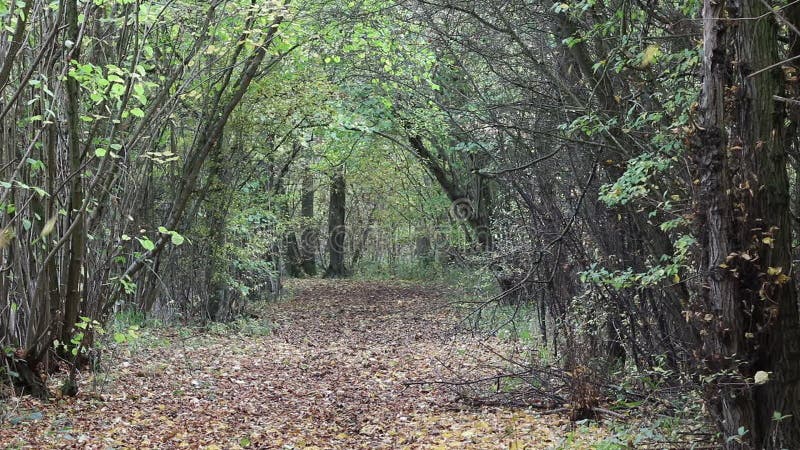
[(651, 174)]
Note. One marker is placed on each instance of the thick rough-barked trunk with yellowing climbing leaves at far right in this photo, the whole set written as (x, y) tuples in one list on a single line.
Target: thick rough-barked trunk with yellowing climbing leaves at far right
[(749, 315)]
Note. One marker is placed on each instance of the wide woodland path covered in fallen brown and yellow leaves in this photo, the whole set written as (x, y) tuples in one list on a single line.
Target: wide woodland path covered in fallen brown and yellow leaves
[(334, 370)]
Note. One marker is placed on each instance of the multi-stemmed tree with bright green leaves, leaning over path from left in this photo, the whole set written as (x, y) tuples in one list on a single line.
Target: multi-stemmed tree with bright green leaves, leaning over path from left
[(83, 122)]
